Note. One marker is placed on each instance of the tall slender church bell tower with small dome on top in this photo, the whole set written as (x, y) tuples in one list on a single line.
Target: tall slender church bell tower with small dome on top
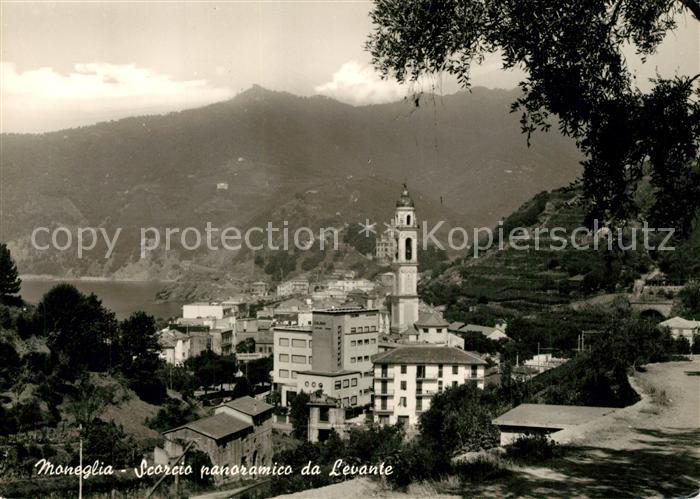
[(404, 300)]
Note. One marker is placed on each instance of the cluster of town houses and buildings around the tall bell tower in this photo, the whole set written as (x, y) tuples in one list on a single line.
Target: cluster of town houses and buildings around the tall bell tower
[(372, 350)]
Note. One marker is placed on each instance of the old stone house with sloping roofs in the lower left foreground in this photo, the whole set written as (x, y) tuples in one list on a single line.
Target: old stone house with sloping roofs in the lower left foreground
[(238, 433)]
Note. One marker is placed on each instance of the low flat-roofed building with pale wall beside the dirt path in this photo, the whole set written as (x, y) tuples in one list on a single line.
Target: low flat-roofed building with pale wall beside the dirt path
[(544, 419)]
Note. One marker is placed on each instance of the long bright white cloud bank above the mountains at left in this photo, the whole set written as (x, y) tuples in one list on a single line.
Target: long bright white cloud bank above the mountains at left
[(44, 99)]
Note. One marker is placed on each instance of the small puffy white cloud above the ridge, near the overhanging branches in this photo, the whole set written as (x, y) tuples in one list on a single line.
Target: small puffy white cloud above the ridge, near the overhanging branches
[(356, 84)]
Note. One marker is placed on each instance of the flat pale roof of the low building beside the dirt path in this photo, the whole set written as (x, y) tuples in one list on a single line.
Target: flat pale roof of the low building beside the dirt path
[(551, 416)]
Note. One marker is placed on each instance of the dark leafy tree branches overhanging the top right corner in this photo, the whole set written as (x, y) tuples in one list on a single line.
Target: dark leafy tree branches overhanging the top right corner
[(577, 73)]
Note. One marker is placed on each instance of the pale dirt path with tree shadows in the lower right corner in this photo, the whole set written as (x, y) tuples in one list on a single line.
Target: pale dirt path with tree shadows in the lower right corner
[(650, 449)]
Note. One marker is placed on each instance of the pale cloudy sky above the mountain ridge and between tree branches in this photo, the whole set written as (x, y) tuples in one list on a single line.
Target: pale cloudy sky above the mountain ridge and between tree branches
[(70, 64)]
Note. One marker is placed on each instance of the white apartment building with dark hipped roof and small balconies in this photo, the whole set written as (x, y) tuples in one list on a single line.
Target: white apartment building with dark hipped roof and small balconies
[(406, 378)]
